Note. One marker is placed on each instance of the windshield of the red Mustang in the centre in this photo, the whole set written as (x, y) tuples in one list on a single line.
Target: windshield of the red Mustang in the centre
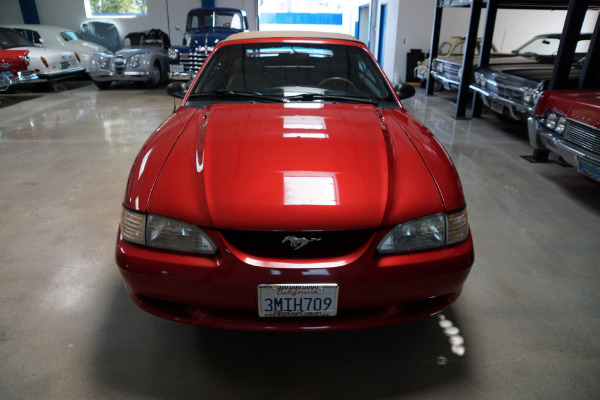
[(294, 72)]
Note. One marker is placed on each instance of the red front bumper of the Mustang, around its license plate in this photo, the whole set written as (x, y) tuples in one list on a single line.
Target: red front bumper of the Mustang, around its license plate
[(221, 291)]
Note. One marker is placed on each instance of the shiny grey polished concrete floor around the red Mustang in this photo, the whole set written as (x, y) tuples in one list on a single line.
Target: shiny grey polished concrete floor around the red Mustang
[(526, 327)]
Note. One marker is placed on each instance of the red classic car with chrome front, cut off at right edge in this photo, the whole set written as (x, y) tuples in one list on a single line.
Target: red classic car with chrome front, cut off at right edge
[(567, 123)]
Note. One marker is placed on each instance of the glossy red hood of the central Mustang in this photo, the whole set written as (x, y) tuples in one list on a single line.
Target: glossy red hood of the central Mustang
[(289, 167)]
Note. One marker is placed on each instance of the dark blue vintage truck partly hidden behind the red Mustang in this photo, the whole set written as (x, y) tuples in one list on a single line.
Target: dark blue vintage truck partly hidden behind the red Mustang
[(205, 27)]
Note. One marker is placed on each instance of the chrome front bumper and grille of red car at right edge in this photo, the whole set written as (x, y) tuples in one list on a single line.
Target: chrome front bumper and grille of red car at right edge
[(580, 158)]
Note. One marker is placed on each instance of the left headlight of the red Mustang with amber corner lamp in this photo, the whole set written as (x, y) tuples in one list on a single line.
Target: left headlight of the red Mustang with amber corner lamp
[(164, 233)]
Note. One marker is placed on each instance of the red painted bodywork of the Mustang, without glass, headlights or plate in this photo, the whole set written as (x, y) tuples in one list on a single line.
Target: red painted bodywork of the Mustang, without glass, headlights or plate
[(234, 168)]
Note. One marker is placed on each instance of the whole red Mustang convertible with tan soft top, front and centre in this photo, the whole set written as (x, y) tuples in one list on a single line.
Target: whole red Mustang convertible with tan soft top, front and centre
[(292, 191)]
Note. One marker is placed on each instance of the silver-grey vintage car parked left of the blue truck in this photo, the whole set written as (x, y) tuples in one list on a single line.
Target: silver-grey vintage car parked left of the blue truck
[(142, 58)]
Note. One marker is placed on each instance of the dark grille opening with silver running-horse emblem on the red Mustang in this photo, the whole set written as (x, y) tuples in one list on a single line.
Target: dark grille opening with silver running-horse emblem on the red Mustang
[(298, 245)]
